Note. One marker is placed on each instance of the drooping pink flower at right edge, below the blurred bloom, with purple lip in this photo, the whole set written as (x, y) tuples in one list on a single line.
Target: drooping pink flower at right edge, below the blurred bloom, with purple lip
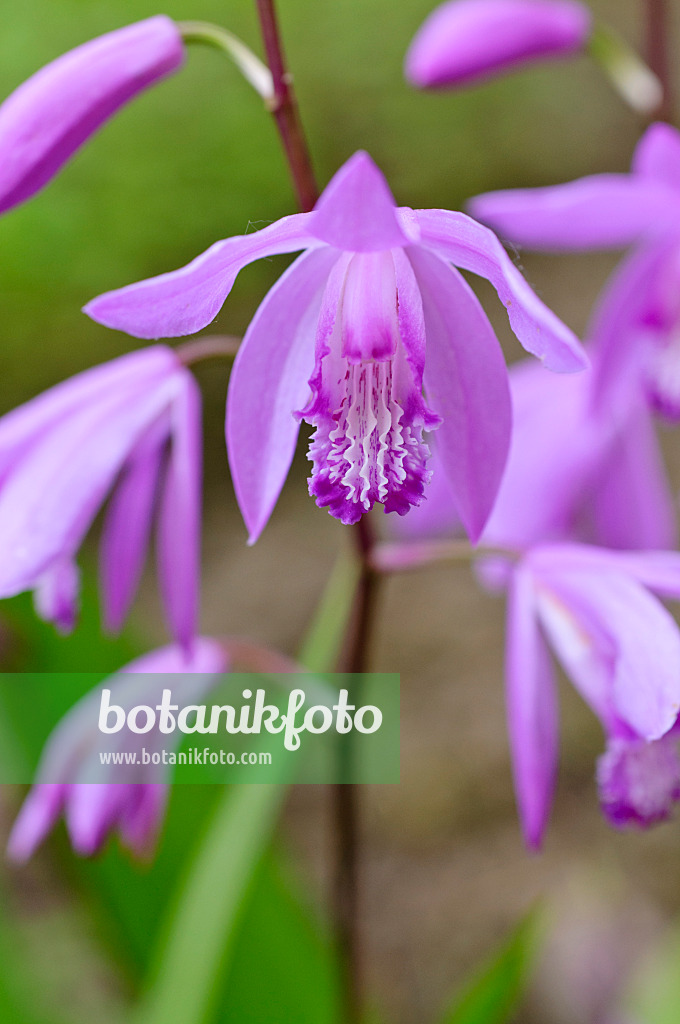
[(622, 651)]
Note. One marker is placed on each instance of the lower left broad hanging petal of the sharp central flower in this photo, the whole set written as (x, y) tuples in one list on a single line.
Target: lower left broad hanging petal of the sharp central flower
[(270, 382)]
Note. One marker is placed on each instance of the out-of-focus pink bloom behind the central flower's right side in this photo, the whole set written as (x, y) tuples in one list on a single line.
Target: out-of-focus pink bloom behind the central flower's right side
[(574, 473)]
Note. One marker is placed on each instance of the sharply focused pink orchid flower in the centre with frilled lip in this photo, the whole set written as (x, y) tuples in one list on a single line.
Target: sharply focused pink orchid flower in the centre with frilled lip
[(370, 316)]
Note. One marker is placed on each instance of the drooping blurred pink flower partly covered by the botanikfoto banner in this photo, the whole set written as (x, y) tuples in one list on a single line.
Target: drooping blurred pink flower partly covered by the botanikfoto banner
[(72, 781)]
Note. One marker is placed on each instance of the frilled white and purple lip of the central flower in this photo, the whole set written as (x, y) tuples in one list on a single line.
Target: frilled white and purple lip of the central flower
[(368, 407)]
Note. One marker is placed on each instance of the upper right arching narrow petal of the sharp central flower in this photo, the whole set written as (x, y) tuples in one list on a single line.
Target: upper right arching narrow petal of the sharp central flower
[(472, 247)]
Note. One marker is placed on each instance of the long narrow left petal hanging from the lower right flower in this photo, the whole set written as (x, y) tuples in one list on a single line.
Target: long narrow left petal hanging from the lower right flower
[(532, 711)]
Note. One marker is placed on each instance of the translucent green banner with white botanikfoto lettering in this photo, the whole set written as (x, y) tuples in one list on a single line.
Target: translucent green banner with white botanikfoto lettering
[(196, 729)]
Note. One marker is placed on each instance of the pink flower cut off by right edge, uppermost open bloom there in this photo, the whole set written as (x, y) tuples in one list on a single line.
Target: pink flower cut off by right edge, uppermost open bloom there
[(637, 328)]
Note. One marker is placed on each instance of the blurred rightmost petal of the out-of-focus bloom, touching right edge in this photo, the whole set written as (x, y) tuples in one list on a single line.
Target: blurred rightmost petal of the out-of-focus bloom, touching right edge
[(633, 503)]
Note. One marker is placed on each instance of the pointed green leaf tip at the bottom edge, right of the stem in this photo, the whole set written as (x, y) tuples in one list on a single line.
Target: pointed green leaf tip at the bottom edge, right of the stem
[(493, 994)]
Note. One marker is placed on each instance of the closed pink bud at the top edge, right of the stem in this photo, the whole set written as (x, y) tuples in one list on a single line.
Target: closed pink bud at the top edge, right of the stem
[(472, 40)]
